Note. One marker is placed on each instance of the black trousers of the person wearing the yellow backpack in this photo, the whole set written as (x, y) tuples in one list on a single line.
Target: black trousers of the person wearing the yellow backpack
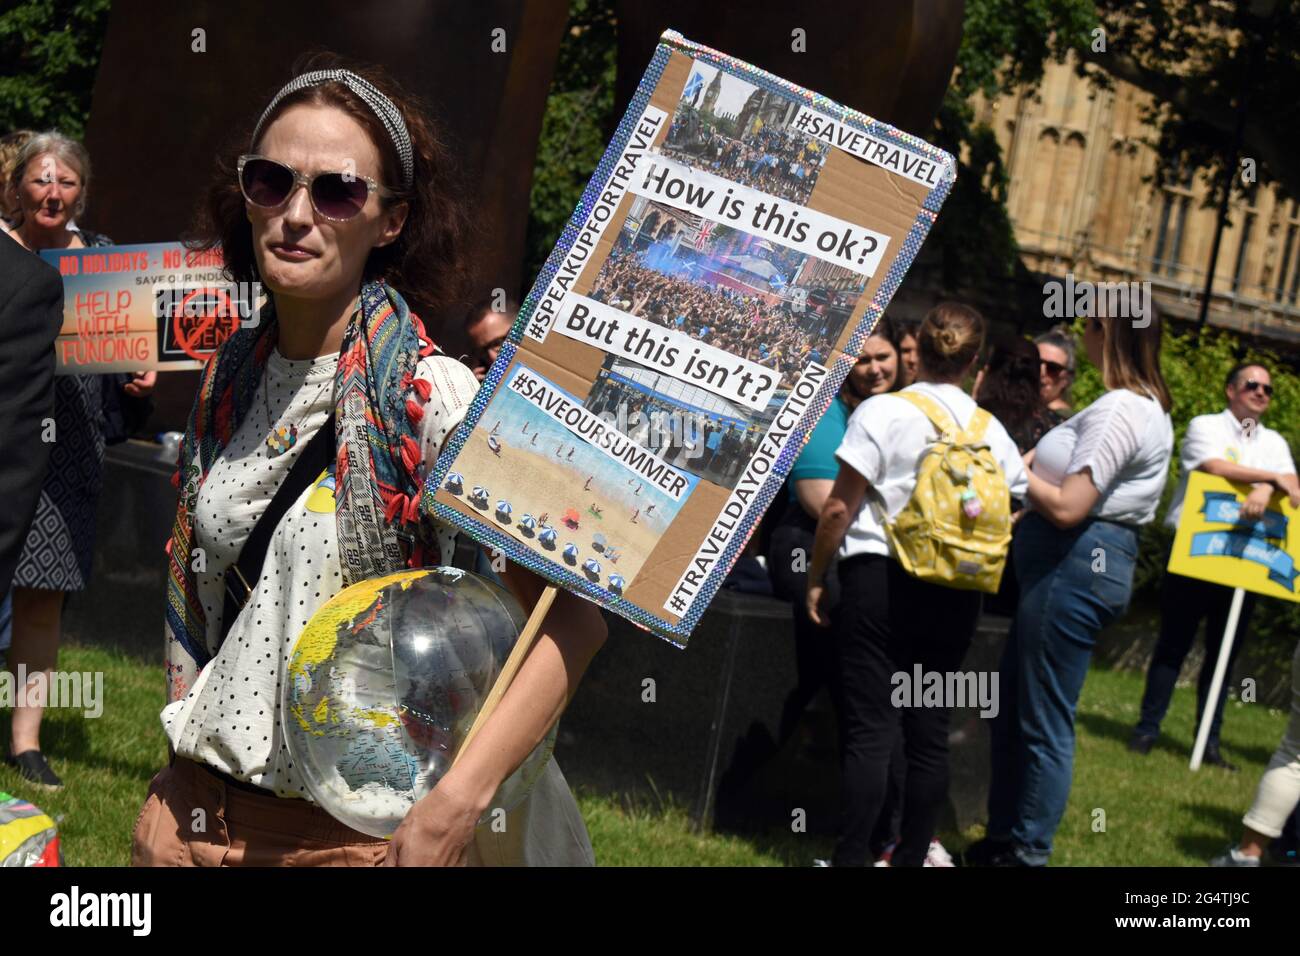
[(889, 622)]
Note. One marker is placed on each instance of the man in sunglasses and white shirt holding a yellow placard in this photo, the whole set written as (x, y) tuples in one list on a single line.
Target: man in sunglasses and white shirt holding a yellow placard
[(1237, 447)]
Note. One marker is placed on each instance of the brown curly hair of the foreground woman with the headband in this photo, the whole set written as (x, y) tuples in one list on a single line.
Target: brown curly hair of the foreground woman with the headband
[(428, 263)]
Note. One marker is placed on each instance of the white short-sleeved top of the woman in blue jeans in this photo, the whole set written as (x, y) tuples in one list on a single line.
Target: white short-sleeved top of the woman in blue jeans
[(1126, 440)]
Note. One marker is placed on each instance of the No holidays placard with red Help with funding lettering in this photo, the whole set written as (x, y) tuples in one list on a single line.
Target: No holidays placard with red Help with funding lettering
[(154, 306)]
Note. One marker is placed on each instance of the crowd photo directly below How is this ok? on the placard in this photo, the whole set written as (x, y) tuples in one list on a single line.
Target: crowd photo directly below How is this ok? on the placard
[(778, 309)]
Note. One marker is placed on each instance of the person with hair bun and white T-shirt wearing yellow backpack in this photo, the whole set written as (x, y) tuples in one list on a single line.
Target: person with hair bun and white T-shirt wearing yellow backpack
[(887, 622)]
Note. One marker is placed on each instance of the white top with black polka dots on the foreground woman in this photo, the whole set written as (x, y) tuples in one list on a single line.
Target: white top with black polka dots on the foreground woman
[(231, 719)]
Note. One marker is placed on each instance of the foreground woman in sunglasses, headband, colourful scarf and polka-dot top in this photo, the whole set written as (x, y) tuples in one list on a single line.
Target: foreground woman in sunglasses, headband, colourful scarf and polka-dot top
[(339, 197)]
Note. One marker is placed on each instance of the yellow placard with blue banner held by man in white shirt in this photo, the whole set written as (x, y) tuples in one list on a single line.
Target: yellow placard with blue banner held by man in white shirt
[(1215, 544)]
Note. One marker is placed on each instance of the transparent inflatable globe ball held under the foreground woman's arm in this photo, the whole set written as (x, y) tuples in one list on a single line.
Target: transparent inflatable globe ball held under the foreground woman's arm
[(384, 685)]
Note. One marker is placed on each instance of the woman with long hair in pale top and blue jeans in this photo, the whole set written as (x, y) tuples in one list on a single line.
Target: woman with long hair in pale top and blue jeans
[(1095, 481)]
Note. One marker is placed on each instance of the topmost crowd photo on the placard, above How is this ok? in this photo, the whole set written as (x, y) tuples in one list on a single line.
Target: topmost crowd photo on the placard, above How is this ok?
[(730, 127)]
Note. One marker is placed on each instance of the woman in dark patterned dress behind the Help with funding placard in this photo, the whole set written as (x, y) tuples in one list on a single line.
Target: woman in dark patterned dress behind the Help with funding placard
[(49, 187)]
